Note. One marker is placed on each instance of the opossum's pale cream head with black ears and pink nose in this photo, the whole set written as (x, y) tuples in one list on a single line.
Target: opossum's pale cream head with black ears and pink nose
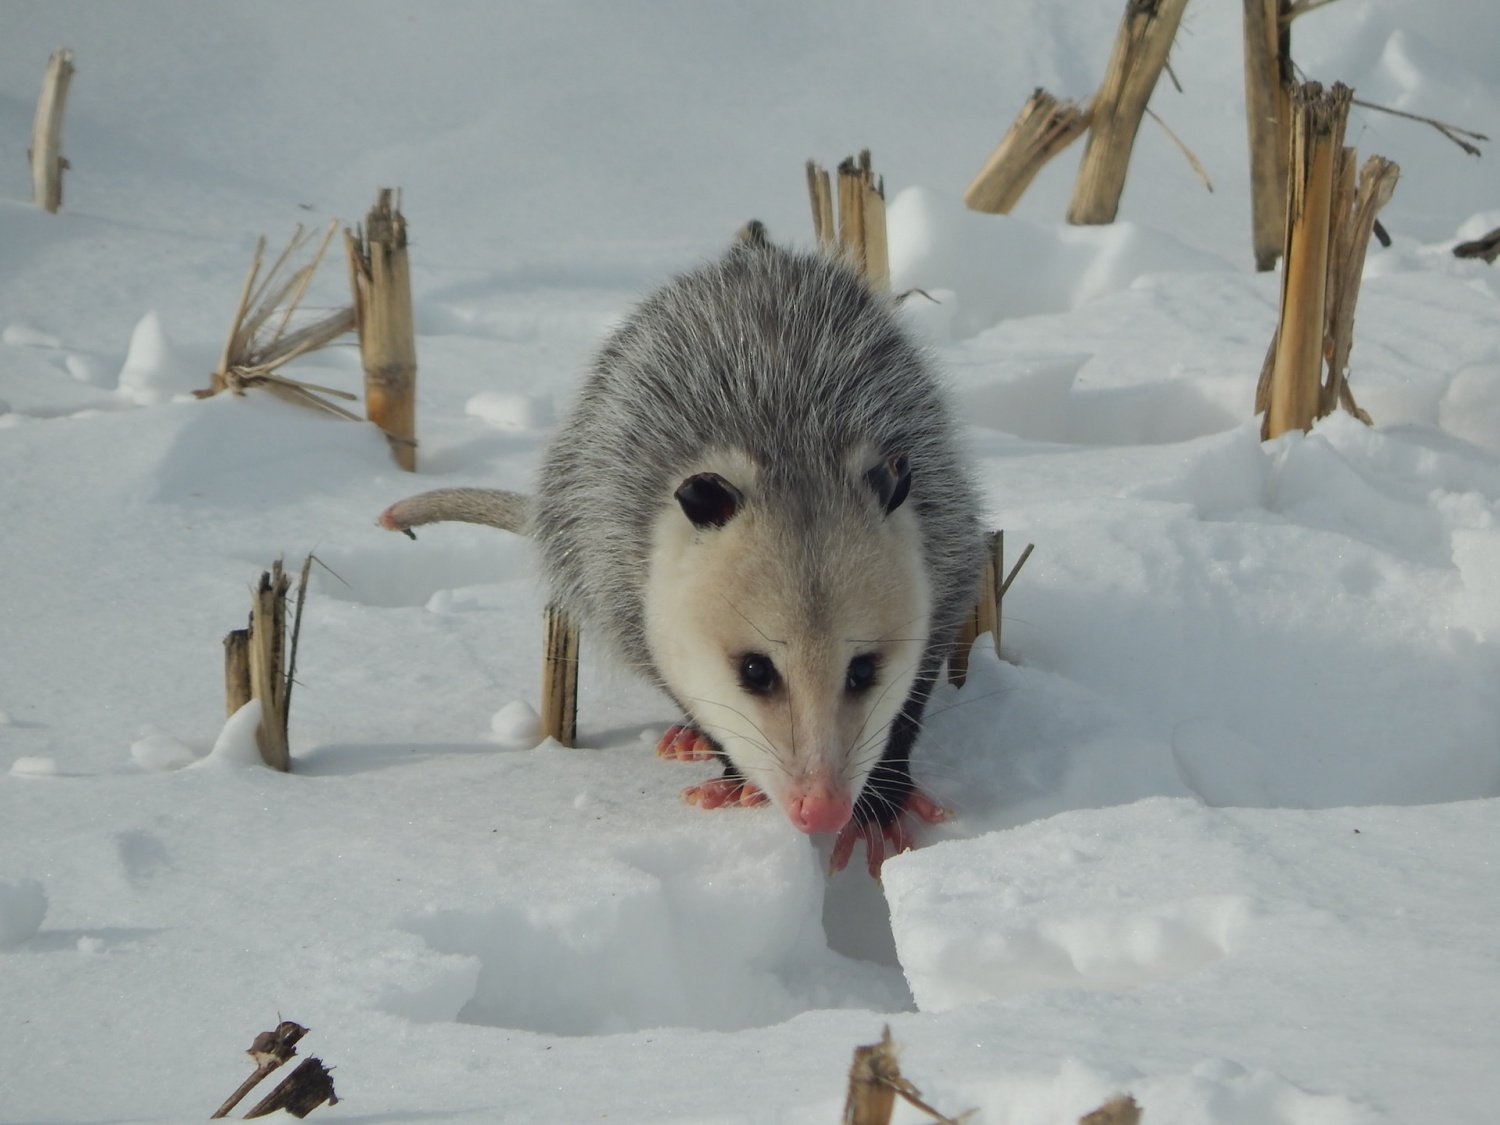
[(790, 622)]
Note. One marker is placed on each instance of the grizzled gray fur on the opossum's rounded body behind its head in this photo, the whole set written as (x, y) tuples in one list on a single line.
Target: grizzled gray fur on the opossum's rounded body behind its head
[(787, 358)]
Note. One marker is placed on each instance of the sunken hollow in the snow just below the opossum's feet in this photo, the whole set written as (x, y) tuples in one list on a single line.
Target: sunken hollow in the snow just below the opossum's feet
[(670, 938)]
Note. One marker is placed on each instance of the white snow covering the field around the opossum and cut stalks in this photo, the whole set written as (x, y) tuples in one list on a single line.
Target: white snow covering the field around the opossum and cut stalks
[(1225, 821)]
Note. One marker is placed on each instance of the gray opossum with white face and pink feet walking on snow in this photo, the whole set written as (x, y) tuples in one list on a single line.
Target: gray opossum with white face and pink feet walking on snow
[(760, 503)]
